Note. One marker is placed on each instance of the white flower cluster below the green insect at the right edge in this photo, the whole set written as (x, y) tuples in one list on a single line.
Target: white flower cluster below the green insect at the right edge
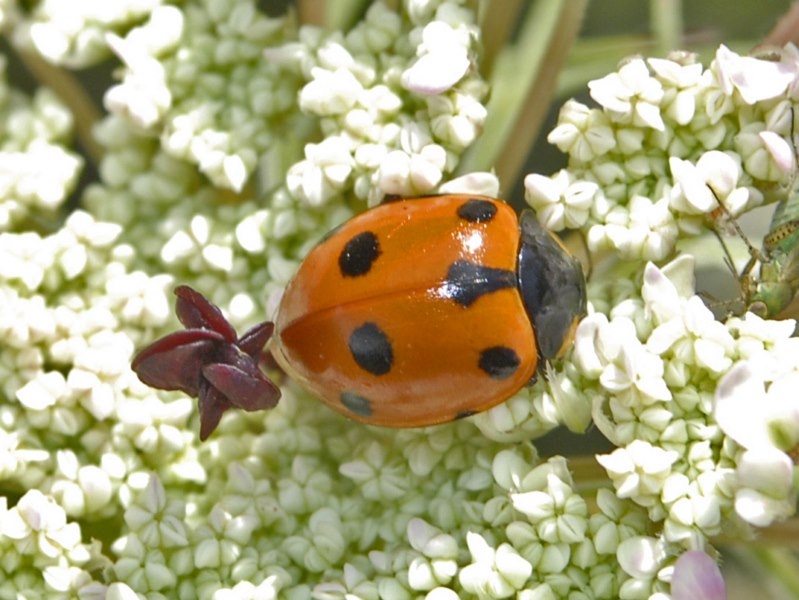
[(652, 383)]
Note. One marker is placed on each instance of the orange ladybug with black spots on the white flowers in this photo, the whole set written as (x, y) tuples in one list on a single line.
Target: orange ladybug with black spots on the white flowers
[(426, 310)]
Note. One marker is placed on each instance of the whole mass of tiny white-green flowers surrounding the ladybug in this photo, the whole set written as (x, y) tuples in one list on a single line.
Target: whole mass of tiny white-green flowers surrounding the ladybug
[(233, 140)]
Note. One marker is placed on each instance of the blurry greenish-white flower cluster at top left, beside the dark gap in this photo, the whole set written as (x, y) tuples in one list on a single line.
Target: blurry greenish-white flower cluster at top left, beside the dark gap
[(196, 77)]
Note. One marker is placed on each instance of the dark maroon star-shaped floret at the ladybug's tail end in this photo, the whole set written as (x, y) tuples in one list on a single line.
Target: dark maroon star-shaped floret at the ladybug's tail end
[(209, 362)]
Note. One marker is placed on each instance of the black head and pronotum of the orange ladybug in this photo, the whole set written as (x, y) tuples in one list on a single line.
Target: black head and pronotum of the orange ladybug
[(552, 287)]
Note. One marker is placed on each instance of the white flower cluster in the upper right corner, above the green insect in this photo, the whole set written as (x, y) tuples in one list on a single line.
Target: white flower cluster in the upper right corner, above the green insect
[(668, 143)]
